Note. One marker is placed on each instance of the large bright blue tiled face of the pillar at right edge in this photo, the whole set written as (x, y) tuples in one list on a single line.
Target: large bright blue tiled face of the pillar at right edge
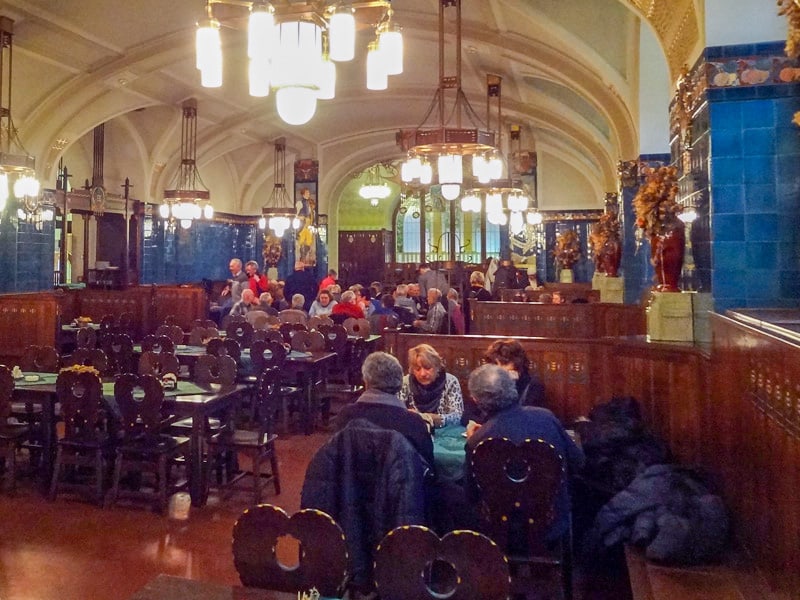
[(755, 196)]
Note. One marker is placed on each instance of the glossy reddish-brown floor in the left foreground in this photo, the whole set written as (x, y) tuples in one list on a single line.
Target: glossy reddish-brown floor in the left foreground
[(71, 550)]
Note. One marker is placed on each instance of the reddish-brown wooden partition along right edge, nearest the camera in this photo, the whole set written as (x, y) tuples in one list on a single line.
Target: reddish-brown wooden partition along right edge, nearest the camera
[(751, 440)]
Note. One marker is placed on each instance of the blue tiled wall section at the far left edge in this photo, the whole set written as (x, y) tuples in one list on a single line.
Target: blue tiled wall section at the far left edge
[(26, 254)]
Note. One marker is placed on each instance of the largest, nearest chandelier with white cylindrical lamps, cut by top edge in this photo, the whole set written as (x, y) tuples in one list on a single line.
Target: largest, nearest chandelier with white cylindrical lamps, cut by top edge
[(292, 47)]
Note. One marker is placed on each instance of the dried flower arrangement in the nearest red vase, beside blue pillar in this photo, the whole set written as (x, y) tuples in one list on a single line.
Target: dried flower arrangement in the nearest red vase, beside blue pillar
[(656, 209)]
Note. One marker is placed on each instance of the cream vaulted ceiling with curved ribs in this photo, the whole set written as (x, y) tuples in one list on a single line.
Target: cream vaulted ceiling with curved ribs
[(570, 77)]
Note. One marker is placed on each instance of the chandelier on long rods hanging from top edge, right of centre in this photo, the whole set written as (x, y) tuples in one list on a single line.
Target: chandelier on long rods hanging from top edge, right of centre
[(445, 145)]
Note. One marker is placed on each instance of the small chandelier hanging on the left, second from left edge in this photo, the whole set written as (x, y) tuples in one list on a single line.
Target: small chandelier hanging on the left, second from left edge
[(188, 200)]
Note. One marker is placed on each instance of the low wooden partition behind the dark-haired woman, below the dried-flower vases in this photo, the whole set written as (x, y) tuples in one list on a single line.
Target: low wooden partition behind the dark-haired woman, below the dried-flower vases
[(576, 321)]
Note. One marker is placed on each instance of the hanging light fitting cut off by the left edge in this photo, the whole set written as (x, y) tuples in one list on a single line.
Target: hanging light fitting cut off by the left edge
[(16, 167)]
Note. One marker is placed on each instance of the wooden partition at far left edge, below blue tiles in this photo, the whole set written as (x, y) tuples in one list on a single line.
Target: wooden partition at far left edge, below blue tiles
[(26, 319)]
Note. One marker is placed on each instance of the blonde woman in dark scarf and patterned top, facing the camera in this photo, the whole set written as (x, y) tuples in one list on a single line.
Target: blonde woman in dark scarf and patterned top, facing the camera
[(430, 390)]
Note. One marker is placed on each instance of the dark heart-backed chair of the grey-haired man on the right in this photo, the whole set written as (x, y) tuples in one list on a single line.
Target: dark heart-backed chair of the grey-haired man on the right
[(519, 486)]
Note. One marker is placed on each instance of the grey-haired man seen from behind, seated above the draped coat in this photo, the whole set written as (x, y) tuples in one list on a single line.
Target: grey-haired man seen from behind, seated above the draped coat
[(379, 404)]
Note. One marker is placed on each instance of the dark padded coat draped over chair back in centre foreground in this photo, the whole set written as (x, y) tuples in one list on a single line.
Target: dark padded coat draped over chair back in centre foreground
[(370, 480)]
